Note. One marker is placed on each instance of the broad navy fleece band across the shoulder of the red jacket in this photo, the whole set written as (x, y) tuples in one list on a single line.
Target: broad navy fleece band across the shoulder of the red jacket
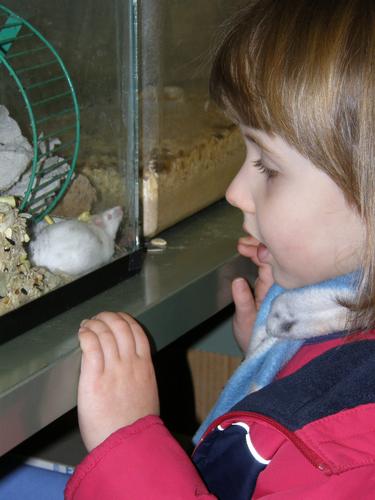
[(341, 378)]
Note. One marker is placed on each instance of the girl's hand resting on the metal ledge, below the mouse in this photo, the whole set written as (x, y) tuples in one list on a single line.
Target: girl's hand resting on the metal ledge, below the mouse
[(117, 385)]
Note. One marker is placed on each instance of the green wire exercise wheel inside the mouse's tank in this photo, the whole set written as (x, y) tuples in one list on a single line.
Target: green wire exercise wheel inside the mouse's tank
[(52, 111)]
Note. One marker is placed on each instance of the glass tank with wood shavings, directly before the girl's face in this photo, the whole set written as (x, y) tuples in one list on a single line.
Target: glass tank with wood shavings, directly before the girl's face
[(189, 151)]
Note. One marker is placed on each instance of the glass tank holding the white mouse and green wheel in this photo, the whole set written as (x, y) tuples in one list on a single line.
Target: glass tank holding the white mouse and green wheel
[(69, 174)]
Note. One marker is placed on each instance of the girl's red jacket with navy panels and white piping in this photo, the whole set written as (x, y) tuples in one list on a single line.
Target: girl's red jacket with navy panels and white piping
[(311, 441)]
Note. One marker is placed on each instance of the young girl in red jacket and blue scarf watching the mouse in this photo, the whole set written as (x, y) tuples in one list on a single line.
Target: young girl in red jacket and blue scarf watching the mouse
[(296, 420)]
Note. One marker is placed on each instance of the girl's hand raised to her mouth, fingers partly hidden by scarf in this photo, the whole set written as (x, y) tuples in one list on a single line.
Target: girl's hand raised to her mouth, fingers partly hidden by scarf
[(246, 302)]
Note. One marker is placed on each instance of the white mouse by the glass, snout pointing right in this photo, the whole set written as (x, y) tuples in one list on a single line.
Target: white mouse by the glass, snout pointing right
[(74, 247)]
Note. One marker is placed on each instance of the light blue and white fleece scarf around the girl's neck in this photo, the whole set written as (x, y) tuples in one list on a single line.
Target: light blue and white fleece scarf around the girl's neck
[(285, 320)]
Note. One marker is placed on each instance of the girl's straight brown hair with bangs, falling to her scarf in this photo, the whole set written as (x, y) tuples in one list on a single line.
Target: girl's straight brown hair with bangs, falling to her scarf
[(305, 70)]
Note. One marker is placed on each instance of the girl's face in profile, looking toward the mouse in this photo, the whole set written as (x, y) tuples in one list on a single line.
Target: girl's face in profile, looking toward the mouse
[(306, 229)]
